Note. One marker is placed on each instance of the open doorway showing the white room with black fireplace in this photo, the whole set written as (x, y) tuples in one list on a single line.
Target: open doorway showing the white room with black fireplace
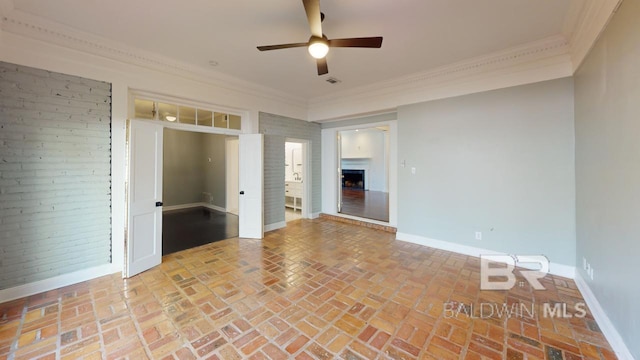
[(363, 179)]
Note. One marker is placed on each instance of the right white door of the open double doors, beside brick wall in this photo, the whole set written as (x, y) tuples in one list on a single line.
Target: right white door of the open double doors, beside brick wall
[(251, 179)]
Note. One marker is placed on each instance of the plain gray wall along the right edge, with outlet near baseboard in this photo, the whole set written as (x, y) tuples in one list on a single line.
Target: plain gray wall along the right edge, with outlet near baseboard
[(607, 100)]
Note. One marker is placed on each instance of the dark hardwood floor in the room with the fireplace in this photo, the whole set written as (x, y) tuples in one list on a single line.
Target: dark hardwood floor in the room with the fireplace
[(366, 204)]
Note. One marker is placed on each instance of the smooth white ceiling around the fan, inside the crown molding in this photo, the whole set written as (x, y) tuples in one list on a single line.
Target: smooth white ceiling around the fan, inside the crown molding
[(418, 34)]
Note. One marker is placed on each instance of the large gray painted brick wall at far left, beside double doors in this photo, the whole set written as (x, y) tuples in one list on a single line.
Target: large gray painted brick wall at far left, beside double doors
[(55, 174)]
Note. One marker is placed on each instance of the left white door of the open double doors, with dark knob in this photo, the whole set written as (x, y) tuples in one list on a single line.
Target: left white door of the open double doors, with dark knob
[(144, 245)]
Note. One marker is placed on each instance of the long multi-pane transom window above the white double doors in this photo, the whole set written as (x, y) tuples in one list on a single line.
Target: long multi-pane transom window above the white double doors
[(158, 110)]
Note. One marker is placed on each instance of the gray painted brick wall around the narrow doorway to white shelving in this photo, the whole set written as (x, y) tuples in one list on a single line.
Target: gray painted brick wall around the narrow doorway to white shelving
[(276, 129)]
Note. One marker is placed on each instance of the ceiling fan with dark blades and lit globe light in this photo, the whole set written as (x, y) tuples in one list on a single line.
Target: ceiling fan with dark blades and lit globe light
[(318, 44)]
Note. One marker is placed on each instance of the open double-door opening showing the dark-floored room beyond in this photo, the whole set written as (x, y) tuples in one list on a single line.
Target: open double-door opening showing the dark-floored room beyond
[(196, 189)]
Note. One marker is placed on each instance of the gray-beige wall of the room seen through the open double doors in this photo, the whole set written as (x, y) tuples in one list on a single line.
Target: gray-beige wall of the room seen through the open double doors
[(187, 172)]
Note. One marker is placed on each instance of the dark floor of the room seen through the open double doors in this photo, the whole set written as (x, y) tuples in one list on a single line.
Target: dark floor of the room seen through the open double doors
[(188, 228)]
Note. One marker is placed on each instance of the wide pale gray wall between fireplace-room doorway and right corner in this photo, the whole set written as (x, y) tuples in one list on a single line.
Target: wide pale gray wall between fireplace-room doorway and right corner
[(500, 162)]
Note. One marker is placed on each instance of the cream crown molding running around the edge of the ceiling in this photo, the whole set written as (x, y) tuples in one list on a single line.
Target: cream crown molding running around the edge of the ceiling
[(545, 59)]
